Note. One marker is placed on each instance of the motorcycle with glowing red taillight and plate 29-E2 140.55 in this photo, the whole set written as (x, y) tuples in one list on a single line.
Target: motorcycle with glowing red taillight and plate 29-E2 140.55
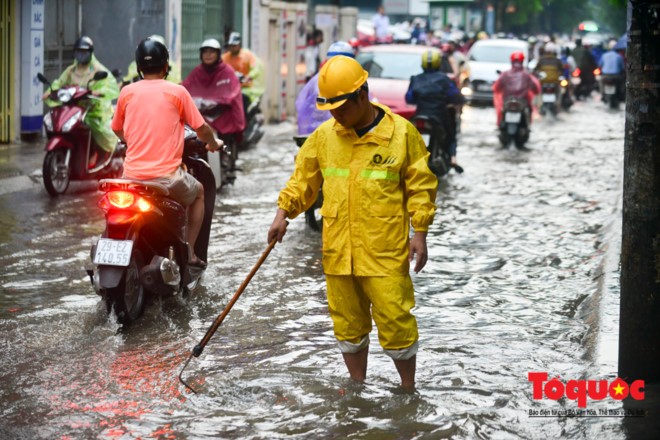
[(143, 252)]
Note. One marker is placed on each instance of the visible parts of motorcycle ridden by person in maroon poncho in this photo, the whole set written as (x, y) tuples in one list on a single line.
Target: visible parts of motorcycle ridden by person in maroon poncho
[(224, 164)]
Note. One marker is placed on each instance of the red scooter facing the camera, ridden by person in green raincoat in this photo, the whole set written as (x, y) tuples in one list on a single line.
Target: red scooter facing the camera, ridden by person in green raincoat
[(71, 152)]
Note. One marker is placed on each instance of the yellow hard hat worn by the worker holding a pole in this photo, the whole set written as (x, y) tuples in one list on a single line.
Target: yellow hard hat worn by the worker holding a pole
[(339, 79)]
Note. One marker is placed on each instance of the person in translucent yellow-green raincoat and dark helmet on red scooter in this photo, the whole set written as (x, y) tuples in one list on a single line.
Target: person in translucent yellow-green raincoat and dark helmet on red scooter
[(98, 117)]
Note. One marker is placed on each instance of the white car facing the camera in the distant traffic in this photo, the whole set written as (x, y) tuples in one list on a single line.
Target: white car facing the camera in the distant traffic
[(488, 58)]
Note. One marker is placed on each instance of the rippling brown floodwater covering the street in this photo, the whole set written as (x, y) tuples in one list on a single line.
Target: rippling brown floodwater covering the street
[(522, 277)]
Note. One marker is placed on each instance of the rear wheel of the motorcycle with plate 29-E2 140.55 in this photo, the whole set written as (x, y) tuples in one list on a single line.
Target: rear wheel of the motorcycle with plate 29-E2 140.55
[(128, 297)]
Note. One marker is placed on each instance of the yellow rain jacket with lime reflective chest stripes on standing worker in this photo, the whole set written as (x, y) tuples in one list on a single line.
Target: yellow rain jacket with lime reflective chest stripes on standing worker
[(374, 187)]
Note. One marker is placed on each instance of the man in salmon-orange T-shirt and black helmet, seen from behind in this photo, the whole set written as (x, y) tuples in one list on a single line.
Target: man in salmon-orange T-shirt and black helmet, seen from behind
[(150, 119)]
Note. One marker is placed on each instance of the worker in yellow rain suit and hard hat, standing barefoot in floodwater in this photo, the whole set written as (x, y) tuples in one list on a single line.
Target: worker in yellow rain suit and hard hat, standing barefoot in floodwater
[(376, 183)]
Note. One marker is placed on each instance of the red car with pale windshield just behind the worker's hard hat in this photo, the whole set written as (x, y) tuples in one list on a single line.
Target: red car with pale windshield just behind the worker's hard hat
[(390, 67)]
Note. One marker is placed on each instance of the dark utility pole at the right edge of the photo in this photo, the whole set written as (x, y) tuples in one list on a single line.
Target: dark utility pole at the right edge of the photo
[(639, 331)]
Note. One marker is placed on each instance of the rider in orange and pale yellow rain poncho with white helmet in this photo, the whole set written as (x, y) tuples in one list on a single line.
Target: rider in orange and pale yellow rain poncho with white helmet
[(246, 63)]
